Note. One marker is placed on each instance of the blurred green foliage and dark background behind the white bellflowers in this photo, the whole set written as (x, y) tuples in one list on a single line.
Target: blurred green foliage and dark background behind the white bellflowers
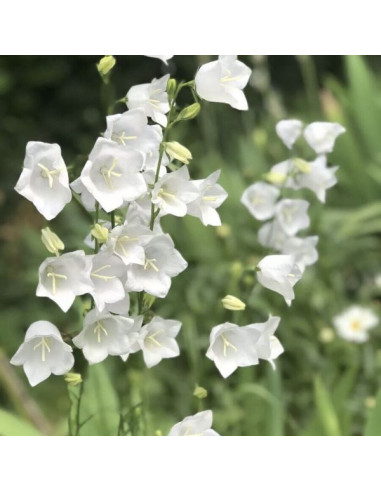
[(322, 385)]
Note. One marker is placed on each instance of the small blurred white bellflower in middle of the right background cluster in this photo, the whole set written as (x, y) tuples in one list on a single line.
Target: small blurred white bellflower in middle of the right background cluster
[(292, 215)]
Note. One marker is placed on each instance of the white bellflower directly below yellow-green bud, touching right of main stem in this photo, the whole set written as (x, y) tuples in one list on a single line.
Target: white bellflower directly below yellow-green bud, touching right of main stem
[(173, 192)]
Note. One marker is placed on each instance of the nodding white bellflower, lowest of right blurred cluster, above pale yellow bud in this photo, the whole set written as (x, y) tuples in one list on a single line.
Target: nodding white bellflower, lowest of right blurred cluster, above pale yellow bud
[(279, 273)]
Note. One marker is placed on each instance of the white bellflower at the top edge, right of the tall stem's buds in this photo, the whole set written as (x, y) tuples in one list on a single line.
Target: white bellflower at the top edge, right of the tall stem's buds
[(223, 81)]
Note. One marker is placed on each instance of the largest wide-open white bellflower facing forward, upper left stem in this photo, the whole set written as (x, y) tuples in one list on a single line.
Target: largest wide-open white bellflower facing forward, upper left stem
[(112, 174)]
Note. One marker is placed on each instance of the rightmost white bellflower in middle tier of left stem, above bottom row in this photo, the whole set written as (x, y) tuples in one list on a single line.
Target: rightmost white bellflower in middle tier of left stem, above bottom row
[(162, 262)]
